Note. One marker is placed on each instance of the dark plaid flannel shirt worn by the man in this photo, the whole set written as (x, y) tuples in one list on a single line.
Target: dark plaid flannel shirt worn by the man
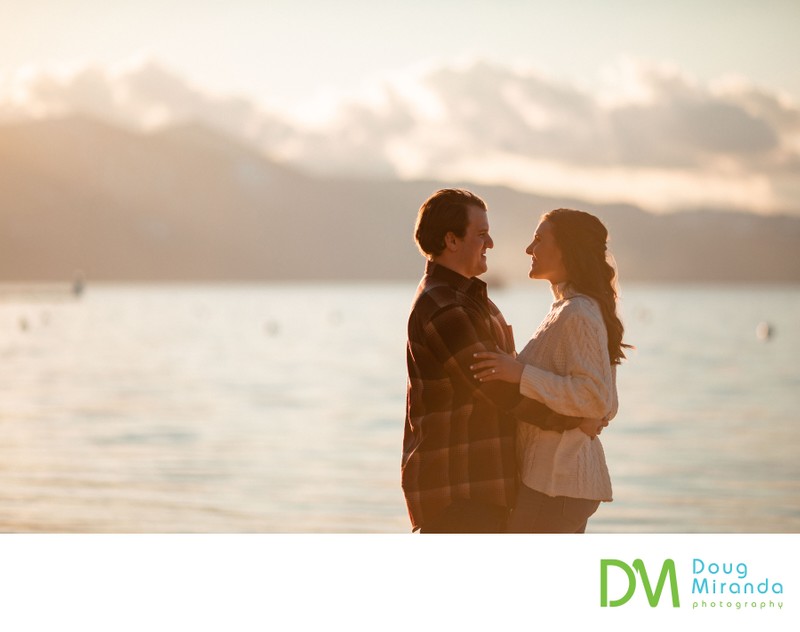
[(459, 438)]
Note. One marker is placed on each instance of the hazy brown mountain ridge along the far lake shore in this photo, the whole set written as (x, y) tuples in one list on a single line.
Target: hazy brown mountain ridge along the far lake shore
[(191, 204)]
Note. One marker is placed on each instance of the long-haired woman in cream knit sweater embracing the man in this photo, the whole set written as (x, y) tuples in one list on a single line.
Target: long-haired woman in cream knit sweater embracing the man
[(570, 365)]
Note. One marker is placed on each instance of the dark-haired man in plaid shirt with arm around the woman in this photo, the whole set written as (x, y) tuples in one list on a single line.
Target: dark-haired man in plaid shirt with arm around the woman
[(459, 463)]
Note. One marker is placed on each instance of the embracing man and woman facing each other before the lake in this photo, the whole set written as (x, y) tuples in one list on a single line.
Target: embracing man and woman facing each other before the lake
[(494, 441)]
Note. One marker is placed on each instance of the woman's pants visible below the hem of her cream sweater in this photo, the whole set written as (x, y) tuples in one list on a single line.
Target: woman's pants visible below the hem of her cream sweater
[(539, 513)]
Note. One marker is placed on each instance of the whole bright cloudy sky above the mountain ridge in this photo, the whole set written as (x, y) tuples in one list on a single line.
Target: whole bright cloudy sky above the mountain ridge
[(667, 105)]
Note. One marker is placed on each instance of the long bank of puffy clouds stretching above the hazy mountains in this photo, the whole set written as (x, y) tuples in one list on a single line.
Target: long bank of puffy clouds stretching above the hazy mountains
[(646, 133)]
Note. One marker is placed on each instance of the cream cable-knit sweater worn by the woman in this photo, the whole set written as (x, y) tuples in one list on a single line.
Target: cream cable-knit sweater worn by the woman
[(567, 367)]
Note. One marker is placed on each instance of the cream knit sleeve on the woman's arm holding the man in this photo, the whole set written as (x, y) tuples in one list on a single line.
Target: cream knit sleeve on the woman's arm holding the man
[(587, 390)]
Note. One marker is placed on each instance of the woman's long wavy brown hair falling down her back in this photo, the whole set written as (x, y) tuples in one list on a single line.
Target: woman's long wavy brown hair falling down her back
[(583, 241)]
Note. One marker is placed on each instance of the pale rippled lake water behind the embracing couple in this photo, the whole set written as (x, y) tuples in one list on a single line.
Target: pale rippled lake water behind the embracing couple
[(279, 408)]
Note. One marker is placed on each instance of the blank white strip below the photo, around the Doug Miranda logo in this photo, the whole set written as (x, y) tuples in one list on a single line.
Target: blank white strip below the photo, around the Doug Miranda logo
[(375, 582)]
